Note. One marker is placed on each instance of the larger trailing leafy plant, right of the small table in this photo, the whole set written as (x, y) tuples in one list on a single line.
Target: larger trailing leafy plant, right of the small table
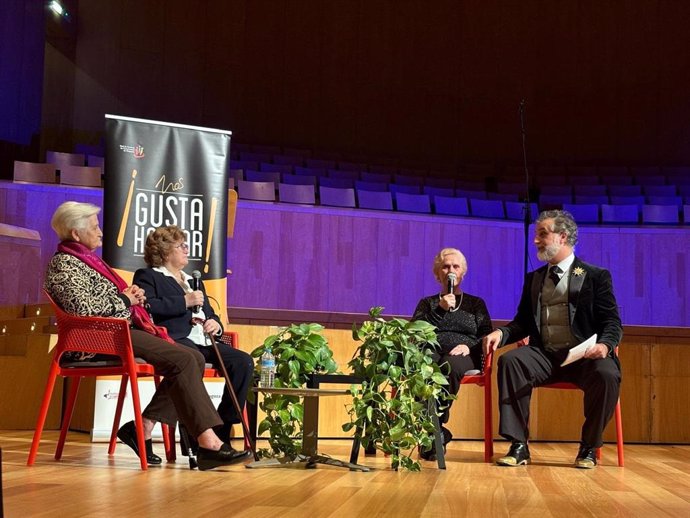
[(401, 380)]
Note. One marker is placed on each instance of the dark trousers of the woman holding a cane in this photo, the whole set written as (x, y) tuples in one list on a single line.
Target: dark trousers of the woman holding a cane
[(240, 367)]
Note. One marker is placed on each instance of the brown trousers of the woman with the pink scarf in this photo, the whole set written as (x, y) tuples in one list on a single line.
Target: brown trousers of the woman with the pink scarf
[(181, 392)]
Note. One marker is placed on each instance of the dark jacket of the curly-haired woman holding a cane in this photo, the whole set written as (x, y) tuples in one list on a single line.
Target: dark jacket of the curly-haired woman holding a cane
[(167, 305)]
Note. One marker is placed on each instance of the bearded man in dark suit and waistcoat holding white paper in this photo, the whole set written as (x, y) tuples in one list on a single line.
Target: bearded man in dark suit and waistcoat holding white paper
[(563, 303)]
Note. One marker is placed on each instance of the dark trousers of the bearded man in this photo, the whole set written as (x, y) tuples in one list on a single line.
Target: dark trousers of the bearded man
[(525, 368)]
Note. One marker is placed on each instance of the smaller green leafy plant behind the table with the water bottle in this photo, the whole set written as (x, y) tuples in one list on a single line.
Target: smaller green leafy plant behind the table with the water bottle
[(299, 350)]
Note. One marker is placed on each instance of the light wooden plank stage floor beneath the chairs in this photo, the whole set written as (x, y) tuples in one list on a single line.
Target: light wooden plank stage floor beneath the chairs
[(87, 483)]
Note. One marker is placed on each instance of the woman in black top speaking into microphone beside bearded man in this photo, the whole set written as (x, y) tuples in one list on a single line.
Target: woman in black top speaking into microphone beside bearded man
[(461, 321)]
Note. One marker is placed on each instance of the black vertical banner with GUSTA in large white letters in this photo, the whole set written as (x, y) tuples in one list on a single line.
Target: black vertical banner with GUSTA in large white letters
[(158, 174)]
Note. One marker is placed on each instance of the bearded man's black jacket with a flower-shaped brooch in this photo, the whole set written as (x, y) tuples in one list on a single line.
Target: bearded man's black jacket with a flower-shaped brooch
[(592, 307)]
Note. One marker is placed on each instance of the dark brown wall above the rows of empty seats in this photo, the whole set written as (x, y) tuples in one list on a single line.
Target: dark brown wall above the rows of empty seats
[(432, 81)]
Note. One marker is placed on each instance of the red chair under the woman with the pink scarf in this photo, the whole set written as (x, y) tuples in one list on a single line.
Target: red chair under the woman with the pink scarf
[(109, 336)]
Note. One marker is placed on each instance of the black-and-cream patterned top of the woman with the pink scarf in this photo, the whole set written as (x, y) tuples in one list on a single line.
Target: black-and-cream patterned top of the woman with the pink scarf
[(81, 290)]
